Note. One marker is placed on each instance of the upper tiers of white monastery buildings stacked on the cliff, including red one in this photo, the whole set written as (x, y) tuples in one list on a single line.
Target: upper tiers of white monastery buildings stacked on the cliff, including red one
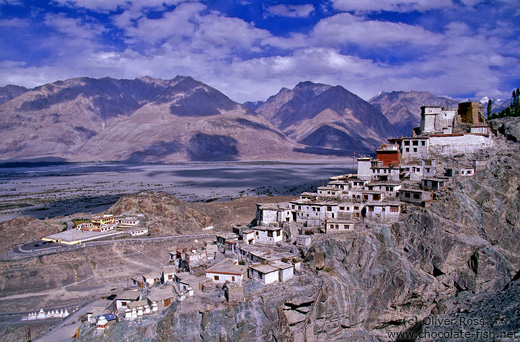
[(404, 172)]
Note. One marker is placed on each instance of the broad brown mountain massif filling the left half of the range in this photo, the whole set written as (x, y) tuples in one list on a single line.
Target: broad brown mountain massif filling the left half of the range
[(145, 119)]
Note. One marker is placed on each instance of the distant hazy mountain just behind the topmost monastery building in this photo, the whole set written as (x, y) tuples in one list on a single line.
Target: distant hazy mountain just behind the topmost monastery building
[(403, 109)]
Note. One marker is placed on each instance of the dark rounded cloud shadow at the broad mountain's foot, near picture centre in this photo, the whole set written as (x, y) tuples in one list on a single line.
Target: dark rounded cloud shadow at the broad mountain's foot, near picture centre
[(212, 147)]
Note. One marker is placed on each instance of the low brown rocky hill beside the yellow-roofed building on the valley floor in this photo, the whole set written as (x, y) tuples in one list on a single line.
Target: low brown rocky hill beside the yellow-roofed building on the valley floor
[(167, 214)]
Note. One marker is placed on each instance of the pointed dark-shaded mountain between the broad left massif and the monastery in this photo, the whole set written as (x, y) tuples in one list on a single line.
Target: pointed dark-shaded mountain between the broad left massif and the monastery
[(328, 120)]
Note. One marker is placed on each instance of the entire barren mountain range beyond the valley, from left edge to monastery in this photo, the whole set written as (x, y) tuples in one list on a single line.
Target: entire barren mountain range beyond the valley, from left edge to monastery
[(150, 120)]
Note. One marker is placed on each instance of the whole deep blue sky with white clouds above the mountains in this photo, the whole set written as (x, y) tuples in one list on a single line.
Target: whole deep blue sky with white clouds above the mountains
[(250, 49)]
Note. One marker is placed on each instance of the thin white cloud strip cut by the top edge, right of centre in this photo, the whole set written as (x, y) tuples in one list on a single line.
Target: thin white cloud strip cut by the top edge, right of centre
[(390, 5)]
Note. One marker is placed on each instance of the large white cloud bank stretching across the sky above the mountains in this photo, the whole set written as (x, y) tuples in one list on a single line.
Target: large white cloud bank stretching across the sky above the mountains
[(224, 52)]
